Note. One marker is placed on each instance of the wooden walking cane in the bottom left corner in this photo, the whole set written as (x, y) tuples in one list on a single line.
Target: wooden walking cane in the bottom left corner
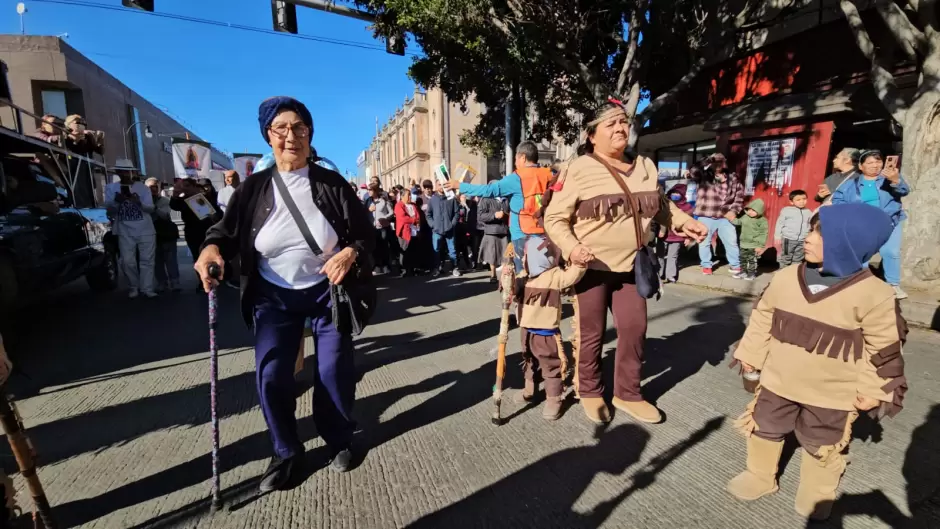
[(25, 460)]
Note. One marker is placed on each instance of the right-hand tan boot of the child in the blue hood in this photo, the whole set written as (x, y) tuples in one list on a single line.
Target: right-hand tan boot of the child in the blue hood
[(819, 482)]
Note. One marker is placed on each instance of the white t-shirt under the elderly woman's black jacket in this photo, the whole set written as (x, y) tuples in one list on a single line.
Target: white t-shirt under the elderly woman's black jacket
[(285, 258)]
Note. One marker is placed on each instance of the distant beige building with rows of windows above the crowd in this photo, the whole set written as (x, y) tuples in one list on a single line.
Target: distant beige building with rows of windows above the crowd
[(420, 135)]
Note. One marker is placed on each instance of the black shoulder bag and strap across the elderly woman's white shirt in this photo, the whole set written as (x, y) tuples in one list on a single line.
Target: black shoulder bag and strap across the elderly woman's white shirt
[(351, 313)]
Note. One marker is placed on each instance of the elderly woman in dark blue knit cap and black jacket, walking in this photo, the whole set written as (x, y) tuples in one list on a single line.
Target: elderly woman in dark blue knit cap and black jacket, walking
[(284, 281)]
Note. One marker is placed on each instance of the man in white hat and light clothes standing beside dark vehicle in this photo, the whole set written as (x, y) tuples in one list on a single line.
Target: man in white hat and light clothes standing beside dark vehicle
[(130, 204)]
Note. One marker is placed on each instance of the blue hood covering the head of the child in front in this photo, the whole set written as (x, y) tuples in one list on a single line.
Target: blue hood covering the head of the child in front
[(852, 234)]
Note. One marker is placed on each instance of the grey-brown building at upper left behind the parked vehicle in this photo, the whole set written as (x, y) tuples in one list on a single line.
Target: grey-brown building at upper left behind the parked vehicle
[(47, 76)]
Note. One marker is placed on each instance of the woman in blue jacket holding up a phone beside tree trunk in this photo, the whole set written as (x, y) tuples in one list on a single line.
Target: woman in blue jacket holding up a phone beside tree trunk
[(880, 184)]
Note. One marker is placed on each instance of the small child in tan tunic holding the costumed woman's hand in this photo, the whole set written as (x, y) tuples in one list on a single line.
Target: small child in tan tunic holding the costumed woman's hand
[(539, 293)]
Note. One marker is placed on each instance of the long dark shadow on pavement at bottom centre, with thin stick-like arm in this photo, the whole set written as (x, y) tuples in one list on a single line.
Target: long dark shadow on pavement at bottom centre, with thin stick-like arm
[(543, 494)]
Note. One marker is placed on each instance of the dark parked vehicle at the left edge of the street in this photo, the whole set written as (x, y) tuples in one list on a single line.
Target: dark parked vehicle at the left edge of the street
[(51, 228)]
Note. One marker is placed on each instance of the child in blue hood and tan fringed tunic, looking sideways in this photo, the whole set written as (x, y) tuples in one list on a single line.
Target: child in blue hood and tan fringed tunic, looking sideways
[(826, 338)]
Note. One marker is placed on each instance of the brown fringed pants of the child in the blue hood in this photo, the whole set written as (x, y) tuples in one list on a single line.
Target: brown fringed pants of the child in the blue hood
[(815, 427)]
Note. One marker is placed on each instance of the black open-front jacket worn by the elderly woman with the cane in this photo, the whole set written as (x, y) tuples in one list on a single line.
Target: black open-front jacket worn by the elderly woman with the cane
[(251, 204)]
